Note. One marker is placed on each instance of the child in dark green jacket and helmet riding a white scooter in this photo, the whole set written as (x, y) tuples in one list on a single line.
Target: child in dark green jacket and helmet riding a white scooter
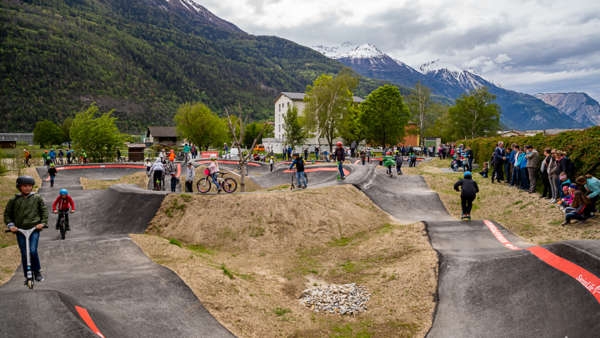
[(27, 210)]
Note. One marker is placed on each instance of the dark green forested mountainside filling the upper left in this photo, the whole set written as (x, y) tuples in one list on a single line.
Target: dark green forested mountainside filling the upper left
[(142, 58)]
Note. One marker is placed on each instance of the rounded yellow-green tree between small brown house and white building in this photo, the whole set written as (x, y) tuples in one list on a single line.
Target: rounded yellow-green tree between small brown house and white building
[(198, 124)]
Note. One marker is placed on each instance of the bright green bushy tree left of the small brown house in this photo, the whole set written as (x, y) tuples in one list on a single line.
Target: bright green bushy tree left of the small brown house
[(98, 136)]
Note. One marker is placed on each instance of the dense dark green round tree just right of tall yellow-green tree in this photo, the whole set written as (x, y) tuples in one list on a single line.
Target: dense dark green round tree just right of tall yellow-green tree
[(384, 116)]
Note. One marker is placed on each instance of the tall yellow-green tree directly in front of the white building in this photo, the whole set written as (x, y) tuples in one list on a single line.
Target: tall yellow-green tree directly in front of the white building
[(327, 102)]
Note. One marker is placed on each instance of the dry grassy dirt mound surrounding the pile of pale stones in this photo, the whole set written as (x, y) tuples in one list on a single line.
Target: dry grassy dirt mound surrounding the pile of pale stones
[(248, 257)]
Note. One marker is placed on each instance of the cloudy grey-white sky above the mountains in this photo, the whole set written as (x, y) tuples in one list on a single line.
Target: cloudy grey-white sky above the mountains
[(530, 46)]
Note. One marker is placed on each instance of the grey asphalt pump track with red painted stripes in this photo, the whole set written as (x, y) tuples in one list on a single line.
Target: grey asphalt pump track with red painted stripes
[(490, 284)]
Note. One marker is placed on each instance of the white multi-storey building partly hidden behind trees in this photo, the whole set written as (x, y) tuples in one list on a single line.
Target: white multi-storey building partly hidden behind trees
[(283, 103)]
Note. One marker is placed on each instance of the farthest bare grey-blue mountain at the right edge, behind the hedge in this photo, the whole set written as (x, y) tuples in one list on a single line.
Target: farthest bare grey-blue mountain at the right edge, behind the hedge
[(579, 106)]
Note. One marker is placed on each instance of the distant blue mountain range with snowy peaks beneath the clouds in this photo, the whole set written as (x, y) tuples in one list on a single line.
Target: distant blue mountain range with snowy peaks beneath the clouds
[(519, 110)]
